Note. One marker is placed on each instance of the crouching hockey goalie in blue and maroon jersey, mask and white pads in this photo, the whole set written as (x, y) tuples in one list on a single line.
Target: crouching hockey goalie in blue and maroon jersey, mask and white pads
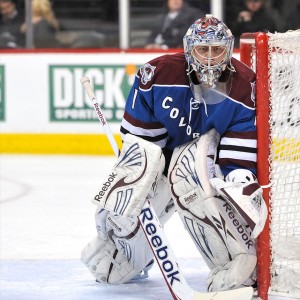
[(189, 145)]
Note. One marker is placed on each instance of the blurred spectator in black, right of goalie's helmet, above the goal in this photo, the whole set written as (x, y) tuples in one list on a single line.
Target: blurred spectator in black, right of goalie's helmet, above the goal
[(254, 18)]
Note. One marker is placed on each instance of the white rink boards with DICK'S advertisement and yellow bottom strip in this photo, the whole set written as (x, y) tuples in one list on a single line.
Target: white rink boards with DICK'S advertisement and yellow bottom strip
[(44, 109)]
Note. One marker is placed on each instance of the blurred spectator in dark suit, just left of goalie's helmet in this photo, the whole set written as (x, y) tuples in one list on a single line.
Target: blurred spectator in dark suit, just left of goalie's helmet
[(170, 27)]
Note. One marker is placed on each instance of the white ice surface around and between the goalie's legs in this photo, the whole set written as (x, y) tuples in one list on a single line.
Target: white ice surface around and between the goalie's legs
[(46, 217)]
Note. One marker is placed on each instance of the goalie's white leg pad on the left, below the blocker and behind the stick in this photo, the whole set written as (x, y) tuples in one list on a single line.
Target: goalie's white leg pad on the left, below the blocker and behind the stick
[(121, 251)]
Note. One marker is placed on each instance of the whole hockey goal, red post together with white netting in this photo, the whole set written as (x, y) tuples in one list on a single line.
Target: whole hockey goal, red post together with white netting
[(276, 60)]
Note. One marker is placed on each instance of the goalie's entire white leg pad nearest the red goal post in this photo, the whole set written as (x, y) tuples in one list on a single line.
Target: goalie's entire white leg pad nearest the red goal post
[(217, 230)]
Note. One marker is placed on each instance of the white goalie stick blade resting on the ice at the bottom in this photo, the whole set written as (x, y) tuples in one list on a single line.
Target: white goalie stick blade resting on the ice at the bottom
[(245, 293)]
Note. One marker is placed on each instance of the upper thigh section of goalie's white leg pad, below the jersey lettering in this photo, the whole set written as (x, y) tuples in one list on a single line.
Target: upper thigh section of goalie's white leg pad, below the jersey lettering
[(191, 167)]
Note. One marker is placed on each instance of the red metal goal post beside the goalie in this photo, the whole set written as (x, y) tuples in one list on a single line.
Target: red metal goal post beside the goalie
[(250, 44)]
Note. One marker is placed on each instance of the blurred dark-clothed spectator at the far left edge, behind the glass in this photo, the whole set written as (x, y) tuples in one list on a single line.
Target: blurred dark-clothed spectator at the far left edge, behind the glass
[(10, 22)]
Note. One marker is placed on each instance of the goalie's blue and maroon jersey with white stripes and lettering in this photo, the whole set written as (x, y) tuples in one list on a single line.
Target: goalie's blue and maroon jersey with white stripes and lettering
[(162, 108)]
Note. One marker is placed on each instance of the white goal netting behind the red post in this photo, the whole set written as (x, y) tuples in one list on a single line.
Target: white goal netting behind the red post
[(284, 120)]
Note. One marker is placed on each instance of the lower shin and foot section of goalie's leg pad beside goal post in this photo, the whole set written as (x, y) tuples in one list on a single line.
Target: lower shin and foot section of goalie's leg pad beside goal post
[(223, 240)]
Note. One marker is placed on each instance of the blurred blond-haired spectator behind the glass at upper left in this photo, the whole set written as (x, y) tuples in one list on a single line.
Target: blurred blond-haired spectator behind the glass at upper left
[(45, 25)]
